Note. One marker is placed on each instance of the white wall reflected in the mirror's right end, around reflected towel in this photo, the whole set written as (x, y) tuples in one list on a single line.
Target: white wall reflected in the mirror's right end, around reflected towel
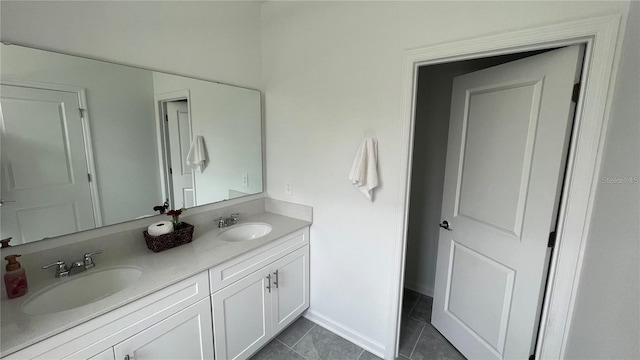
[(230, 121)]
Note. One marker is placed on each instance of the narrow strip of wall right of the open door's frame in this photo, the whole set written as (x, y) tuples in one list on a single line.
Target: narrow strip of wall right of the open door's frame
[(606, 316)]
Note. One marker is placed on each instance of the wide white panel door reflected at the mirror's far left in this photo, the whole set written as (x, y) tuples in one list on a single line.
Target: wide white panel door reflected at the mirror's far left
[(44, 165)]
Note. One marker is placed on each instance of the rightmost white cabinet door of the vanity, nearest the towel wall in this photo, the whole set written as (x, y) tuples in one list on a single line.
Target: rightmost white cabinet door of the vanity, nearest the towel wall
[(291, 295)]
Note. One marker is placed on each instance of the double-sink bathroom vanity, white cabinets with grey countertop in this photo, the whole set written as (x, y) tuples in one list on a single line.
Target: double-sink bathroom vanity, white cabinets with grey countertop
[(227, 298)]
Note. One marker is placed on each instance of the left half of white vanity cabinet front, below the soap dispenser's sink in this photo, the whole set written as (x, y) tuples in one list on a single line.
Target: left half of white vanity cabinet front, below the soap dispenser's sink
[(177, 318)]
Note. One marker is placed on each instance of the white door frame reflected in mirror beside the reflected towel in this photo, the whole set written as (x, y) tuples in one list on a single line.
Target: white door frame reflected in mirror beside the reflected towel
[(162, 142)]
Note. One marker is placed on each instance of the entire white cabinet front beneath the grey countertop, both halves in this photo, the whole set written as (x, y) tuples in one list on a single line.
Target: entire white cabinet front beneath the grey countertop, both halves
[(229, 311)]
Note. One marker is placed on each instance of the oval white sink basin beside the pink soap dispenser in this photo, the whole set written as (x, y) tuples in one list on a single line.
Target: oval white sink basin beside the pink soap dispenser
[(81, 289)]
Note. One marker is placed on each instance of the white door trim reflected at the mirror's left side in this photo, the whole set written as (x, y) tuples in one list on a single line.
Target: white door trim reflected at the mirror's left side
[(86, 133)]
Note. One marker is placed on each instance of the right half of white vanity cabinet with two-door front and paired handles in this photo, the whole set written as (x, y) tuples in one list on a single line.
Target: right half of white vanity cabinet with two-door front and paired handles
[(249, 312)]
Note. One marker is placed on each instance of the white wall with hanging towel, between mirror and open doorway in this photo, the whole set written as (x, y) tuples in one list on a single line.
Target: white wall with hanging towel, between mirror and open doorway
[(332, 75)]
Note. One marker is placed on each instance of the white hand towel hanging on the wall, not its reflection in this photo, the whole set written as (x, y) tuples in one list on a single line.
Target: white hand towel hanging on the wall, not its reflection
[(364, 171)]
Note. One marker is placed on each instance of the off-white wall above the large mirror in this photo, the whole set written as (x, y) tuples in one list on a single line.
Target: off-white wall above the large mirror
[(212, 40)]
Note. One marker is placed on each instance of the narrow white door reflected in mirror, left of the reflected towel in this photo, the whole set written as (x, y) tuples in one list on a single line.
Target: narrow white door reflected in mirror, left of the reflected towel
[(178, 134)]
